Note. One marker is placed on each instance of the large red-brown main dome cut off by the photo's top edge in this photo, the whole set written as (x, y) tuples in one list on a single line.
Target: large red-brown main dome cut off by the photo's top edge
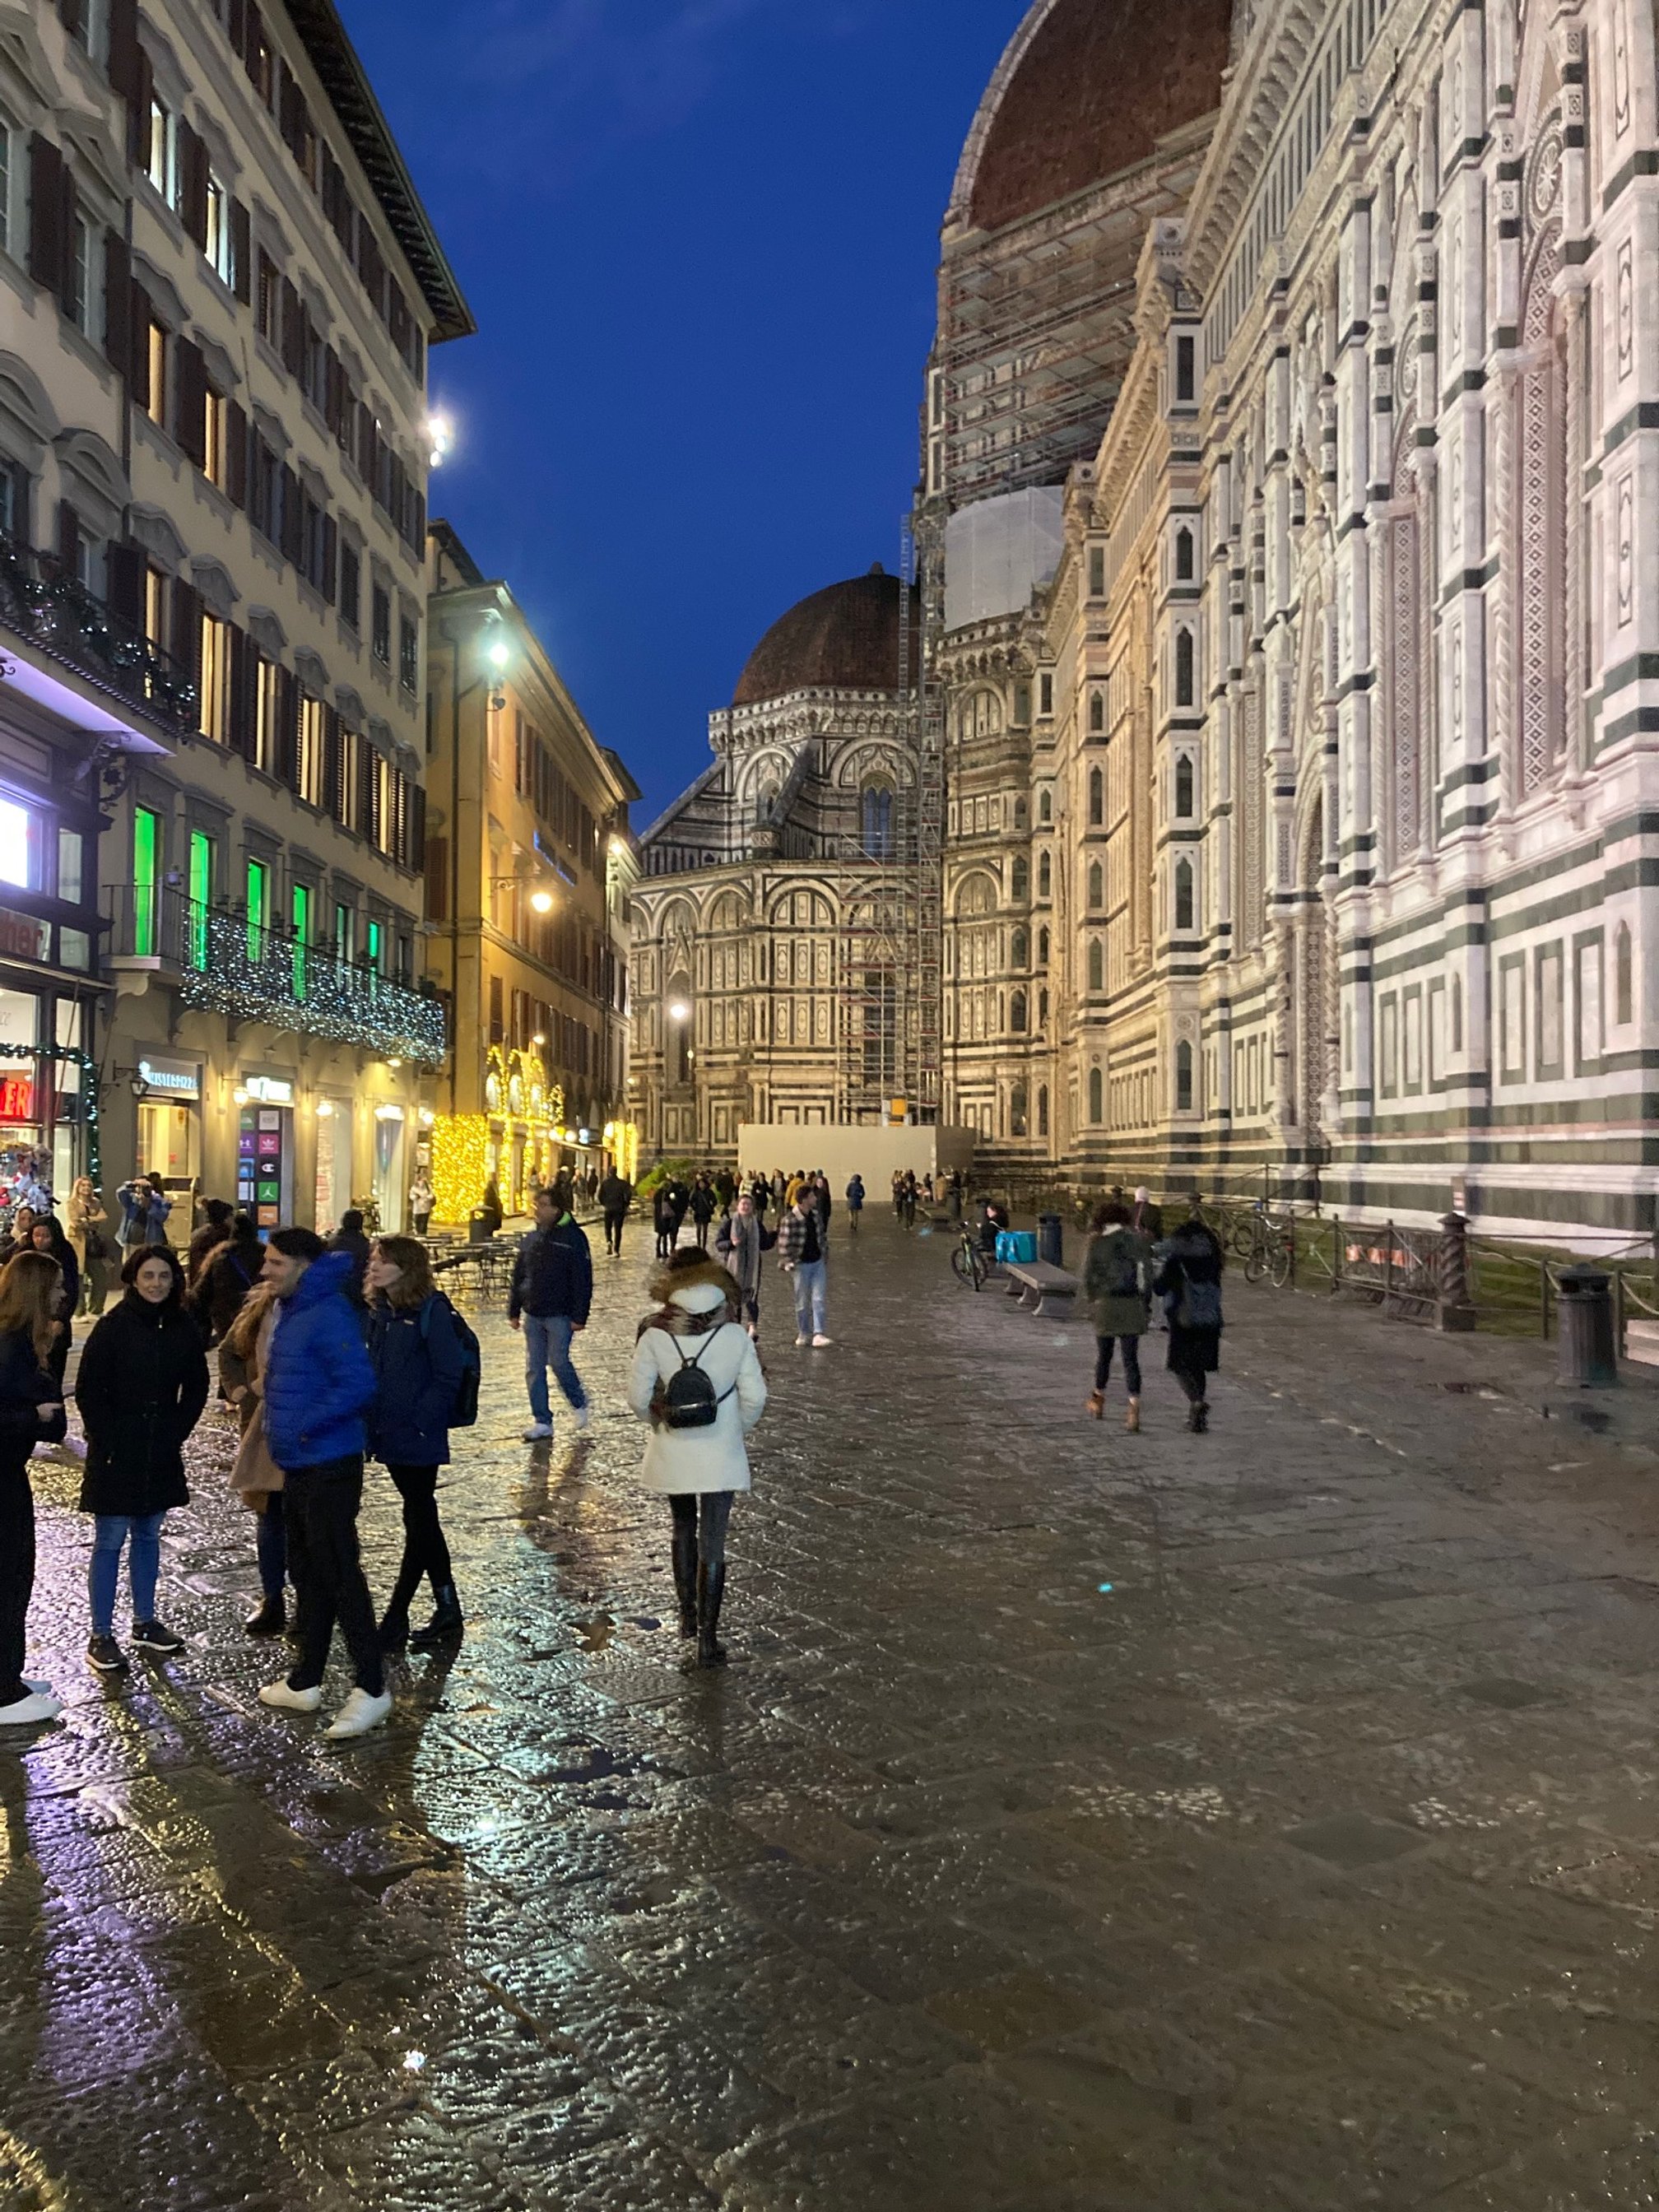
[(1087, 90)]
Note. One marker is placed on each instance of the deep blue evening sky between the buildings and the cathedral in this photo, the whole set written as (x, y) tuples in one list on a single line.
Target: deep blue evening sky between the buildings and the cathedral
[(700, 244)]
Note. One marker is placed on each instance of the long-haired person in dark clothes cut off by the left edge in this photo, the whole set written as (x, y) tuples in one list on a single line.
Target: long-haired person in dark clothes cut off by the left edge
[(32, 1412)]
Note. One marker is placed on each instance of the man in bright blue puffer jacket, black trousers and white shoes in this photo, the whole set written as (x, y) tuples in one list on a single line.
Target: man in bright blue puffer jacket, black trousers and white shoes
[(317, 1390)]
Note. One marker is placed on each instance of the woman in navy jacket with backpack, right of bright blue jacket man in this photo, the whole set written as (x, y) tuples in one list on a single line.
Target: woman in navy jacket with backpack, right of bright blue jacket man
[(421, 1373)]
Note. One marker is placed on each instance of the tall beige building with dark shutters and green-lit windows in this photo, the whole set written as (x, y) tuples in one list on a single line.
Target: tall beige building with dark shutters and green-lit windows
[(218, 457)]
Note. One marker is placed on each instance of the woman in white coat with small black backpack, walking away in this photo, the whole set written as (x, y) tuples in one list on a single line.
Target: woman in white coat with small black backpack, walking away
[(698, 1463)]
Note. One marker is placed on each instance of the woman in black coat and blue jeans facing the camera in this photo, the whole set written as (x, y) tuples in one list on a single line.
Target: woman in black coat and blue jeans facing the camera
[(140, 1392)]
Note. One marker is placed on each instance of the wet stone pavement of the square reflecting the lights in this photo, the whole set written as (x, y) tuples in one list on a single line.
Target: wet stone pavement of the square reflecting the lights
[(1311, 1864)]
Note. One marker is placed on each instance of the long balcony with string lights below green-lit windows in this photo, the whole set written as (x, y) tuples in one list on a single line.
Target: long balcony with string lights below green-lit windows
[(225, 963)]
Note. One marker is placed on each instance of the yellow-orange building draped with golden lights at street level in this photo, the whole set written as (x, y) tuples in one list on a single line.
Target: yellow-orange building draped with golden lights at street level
[(530, 868)]
